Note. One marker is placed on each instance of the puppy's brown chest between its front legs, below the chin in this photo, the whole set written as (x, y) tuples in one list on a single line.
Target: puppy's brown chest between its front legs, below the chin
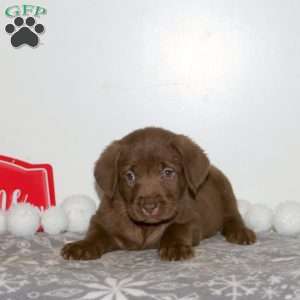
[(140, 237)]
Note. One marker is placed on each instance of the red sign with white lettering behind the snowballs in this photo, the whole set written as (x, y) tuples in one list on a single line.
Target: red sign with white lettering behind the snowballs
[(24, 182)]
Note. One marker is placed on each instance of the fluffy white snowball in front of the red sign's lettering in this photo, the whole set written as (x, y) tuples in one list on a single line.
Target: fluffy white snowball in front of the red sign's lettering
[(23, 219)]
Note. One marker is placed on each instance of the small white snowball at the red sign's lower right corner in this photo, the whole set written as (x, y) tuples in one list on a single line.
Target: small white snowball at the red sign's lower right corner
[(54, 220)]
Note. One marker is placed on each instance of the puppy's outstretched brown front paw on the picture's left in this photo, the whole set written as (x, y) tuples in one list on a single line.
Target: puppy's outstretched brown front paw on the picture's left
[(84, 250)]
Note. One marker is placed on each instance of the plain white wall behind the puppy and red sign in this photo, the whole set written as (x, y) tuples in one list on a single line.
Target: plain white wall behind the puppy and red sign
[(227, 73)]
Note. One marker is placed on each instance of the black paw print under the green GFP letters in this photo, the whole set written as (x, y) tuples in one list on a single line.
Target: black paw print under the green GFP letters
[(25, 34)]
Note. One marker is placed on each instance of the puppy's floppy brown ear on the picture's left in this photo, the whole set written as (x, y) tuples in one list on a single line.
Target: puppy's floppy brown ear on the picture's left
[(106, 169)]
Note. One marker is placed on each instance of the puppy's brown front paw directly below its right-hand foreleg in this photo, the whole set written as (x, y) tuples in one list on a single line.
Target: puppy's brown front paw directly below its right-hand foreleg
[(176, 252)]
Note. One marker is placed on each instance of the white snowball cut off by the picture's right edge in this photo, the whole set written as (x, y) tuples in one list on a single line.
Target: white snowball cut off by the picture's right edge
[(286, 220)]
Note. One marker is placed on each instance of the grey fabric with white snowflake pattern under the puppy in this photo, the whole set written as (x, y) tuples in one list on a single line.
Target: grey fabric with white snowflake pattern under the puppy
[(33, 269)]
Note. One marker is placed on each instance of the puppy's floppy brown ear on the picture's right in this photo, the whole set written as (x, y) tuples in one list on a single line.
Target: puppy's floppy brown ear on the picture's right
[(194, 160)]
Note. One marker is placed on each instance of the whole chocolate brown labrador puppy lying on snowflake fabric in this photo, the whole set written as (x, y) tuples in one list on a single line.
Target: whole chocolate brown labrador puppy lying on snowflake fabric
[(159, 191)]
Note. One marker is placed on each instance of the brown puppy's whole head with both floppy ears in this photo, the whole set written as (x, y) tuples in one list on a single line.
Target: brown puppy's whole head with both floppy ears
[(151, 168)]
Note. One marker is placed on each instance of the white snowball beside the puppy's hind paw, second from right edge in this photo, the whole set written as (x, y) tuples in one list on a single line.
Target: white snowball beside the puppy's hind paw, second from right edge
[(259, 218)]
